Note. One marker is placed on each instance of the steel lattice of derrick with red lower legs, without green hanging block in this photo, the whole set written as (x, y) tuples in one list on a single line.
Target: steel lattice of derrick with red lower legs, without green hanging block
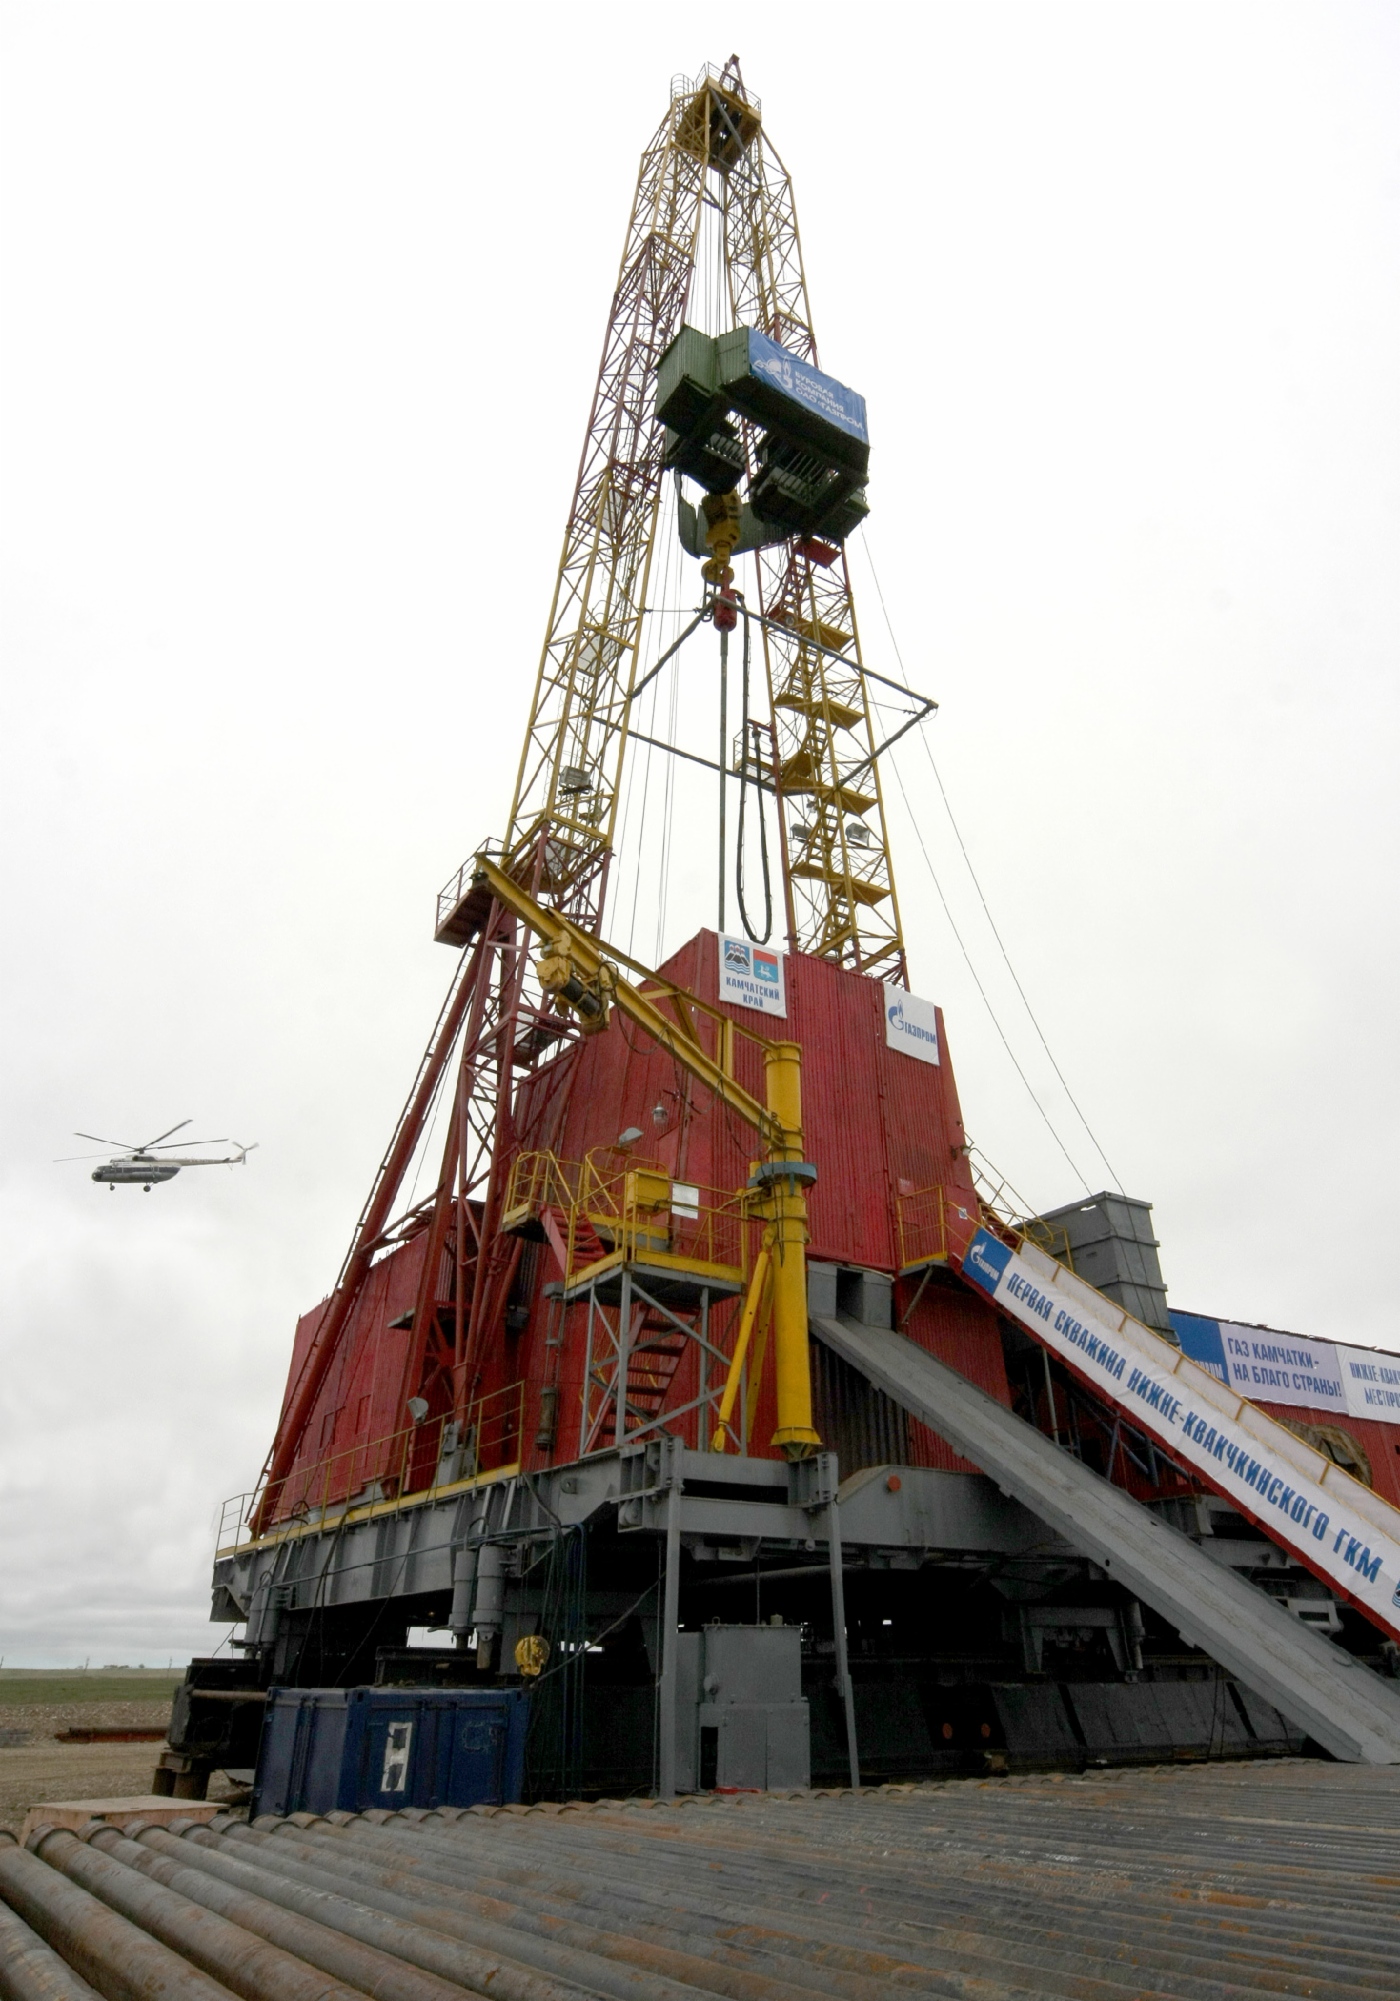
[(709, 153)]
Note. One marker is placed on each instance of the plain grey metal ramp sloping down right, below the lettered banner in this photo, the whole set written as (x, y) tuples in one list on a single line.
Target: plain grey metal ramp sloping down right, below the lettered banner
[(1347, 1708)]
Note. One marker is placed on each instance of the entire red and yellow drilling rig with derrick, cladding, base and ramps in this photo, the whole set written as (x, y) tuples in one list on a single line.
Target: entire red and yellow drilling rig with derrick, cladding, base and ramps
[(709, 1396)]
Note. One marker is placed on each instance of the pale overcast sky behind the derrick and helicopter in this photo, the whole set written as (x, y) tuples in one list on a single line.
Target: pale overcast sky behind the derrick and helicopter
[(303, 307)]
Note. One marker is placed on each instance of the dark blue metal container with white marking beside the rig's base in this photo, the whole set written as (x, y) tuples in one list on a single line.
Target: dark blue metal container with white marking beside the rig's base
[(349, 1750)]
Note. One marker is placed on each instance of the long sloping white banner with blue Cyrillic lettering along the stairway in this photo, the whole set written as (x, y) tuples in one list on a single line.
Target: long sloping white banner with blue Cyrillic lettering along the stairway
[(1333, 1524)]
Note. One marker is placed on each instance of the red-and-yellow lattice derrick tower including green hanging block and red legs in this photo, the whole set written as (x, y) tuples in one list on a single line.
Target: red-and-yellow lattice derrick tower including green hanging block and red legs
[(713, 235)]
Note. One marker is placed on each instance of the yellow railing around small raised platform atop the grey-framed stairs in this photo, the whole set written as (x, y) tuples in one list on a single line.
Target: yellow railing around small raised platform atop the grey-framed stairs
[(619, 1210)]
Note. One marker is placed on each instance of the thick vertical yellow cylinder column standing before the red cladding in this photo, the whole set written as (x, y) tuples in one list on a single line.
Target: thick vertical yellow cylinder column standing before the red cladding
[(783, 1076)]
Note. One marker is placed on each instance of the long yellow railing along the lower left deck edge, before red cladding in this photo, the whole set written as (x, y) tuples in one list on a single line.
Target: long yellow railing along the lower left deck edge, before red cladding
[(385, 1472)]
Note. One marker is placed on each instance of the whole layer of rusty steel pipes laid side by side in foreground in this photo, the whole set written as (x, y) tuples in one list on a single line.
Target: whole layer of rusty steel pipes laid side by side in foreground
[(1177, 1882)]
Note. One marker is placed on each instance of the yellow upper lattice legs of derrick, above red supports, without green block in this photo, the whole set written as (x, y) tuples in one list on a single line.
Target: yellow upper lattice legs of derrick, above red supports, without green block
[(711, 147)]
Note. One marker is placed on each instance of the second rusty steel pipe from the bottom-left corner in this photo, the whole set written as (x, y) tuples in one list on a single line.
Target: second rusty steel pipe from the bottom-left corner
[(109, 1952)]
